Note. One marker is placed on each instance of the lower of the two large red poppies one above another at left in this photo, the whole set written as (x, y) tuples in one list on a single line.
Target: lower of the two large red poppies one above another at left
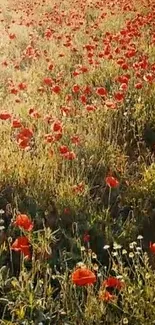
[(21, 244)]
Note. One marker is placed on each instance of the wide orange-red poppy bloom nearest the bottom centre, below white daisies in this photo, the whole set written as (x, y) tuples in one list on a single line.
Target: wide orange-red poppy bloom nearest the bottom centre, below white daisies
[(83, 276)]
